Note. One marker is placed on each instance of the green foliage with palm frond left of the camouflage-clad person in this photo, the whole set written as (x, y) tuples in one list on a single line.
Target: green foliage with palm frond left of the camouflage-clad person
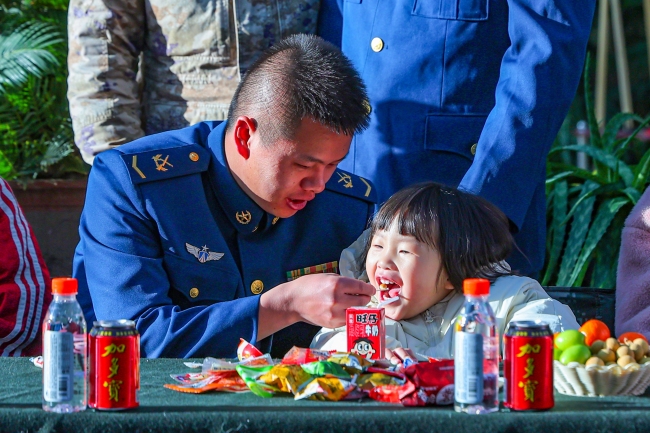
[(36, 139)]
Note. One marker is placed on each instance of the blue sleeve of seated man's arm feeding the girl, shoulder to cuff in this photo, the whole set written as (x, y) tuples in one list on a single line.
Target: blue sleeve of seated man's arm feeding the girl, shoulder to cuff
[(123, 267)]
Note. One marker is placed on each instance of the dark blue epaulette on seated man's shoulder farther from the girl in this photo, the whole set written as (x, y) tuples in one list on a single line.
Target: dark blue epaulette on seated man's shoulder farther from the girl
[(166, 163)]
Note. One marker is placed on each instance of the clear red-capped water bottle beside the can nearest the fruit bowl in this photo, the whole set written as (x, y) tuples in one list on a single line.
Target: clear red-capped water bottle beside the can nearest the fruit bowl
[(476, 352)]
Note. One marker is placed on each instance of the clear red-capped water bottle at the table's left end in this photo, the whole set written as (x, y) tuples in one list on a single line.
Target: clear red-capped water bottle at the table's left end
[(64, 351)]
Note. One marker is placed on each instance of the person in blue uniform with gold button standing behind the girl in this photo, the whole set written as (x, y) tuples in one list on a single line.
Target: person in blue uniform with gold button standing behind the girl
[(466, 93)]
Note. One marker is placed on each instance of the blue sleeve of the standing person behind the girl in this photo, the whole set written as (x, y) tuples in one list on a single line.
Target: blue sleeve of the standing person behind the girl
[(539, 75)]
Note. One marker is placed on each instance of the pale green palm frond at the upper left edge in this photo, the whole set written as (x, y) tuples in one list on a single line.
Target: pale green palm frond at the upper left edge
[(23, 53)]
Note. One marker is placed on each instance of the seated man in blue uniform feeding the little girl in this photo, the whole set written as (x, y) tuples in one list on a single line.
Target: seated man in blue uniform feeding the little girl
[(199, 234)]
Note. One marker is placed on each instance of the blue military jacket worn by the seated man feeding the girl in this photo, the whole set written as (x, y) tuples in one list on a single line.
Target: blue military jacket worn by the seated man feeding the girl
[(168, 239)]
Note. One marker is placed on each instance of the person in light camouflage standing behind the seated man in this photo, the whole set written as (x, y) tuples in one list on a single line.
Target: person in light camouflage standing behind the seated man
[(146, 66)]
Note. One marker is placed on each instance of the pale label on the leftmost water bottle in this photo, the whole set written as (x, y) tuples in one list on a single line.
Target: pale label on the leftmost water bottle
[(58, 365)]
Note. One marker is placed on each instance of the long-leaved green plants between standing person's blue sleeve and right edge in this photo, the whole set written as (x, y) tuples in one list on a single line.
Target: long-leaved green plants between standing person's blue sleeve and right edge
[(587, 206)]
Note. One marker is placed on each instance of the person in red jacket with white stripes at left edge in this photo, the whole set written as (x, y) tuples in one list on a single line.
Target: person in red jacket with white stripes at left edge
[(25, 288)]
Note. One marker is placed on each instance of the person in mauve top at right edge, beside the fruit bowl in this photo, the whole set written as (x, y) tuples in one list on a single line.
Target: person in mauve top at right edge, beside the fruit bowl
[(633, 273)]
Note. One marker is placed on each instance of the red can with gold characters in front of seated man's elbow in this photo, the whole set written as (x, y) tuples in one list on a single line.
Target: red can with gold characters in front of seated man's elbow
[(114, 371)]
